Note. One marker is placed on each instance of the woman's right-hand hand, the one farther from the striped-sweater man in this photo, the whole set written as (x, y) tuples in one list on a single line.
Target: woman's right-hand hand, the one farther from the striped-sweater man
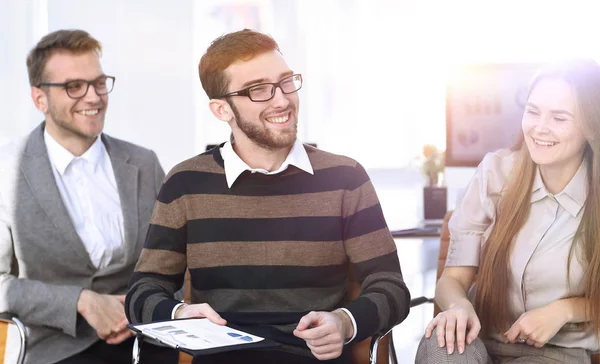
[(537, 326)]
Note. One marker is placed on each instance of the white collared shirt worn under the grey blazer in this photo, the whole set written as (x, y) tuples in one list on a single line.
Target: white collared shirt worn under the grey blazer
[(89, 191)]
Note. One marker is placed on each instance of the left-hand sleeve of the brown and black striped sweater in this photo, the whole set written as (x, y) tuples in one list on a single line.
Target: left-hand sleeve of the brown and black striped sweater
[(161, 267)]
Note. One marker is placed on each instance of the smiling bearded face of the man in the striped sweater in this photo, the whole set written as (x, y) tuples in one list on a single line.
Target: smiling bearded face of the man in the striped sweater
[(270, 124)]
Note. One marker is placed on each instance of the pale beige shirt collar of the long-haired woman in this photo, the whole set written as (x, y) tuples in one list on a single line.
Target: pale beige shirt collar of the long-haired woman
[(572, 197)]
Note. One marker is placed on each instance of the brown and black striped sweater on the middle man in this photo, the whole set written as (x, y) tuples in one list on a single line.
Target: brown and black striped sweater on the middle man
[(271, 248)]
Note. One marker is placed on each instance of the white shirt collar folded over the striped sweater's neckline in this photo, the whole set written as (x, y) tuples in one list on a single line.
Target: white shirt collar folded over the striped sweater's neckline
[(235, 166)]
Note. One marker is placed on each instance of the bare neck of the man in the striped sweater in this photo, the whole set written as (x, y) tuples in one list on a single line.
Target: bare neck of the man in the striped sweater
[(257, 157)]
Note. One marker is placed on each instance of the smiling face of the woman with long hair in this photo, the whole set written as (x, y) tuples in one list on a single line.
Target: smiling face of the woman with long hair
[(550, 126)]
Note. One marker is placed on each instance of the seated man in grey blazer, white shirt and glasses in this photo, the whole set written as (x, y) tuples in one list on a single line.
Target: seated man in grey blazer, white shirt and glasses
[(74, 209)]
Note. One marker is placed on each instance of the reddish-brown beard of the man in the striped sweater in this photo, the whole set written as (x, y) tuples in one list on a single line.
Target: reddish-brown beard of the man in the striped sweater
[(264, 137)]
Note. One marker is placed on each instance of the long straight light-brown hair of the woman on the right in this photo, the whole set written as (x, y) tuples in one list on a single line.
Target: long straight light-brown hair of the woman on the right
[(494, 278)]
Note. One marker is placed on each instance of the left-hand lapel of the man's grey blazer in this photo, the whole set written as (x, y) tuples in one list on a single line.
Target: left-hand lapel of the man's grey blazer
[(37, 170)]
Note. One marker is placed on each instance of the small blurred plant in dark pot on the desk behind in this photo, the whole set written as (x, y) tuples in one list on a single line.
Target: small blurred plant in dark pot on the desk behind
[(434, 193)]
